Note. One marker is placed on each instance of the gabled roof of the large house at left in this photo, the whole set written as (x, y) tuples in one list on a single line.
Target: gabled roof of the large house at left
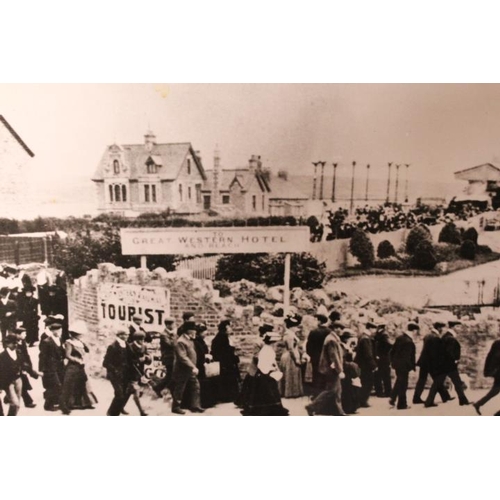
[(135, 156)]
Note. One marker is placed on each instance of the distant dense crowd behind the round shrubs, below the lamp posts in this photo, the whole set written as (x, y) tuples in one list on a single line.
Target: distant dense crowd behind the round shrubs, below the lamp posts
[(391, 217)]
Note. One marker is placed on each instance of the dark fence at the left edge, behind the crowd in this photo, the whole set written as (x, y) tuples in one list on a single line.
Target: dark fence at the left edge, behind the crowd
[(25, 250)]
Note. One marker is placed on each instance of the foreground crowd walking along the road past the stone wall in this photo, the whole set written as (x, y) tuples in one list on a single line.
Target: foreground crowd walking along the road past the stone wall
[(338, 369)]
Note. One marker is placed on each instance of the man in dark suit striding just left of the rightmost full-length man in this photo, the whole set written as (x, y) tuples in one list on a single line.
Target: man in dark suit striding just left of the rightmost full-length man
[(426, 362)]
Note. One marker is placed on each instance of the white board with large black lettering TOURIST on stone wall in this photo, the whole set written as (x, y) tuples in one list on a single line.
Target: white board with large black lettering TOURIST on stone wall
[(116, 304)]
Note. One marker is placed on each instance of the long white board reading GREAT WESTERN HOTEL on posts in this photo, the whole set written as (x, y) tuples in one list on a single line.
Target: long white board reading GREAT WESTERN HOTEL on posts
[(195, 241)]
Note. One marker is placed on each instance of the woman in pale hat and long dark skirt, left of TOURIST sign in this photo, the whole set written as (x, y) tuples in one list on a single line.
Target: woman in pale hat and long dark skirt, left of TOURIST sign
[(76, 393)]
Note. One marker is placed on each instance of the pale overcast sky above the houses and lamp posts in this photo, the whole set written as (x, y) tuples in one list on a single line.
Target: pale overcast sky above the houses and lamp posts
[(436, 128)]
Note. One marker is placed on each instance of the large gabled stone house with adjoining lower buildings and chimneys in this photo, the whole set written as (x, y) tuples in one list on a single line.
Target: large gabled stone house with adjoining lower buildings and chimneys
[(132, 179)]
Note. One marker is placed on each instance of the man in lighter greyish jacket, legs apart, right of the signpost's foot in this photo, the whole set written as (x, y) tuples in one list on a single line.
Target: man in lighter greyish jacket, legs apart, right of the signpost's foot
[(331, 364)]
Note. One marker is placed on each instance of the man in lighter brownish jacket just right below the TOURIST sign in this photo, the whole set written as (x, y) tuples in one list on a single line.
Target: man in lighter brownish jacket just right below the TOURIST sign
[(185, 371)]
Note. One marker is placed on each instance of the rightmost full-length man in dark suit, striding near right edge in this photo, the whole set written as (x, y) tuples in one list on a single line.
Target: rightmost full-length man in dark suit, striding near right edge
[(446, 365)]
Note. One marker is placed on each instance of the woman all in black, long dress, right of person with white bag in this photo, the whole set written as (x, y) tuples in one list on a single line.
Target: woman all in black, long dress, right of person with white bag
[(224, 352)]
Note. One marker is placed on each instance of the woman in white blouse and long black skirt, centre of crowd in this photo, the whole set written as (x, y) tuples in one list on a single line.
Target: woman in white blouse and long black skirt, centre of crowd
[(264, 397)]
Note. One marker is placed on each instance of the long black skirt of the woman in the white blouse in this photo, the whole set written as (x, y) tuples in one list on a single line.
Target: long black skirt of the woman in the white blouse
[(262, 396)]
